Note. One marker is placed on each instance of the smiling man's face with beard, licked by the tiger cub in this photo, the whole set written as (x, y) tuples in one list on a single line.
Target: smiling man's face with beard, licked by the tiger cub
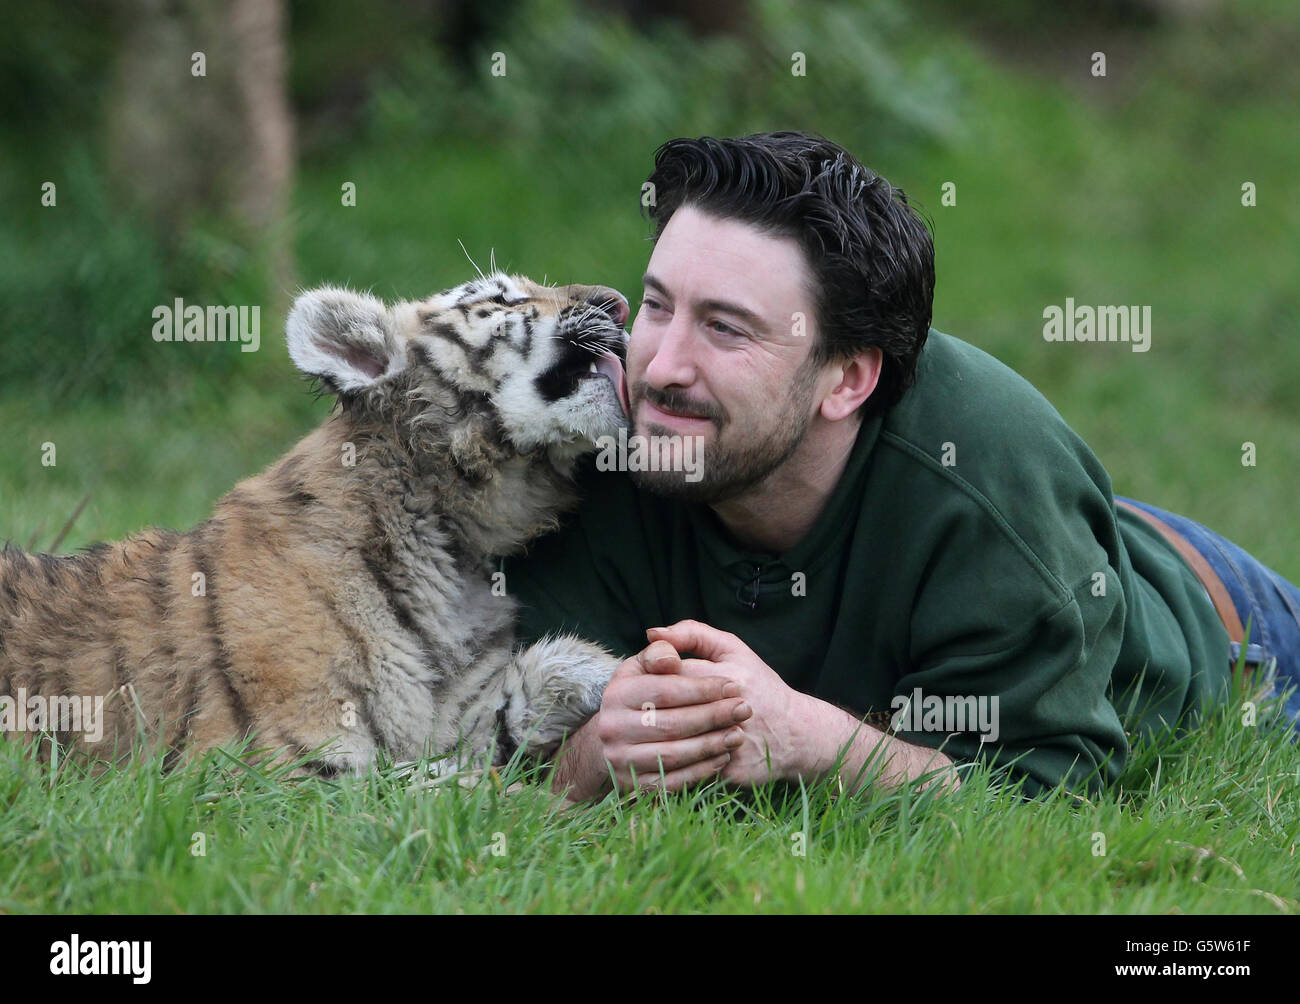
[(722, 350)]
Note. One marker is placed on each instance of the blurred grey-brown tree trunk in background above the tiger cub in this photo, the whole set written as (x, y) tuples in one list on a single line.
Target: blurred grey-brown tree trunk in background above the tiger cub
[(200, 122)]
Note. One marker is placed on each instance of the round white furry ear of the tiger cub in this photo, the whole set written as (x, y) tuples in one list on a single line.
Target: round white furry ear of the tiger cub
[(343, 337)]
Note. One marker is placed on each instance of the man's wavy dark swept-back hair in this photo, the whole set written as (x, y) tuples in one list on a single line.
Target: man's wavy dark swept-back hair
[(868, 248)]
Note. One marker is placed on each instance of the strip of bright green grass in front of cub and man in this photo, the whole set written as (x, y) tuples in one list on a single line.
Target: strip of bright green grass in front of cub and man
[(1203, 825)]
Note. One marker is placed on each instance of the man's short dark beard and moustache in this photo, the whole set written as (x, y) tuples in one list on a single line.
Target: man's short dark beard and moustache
[(730, 471)]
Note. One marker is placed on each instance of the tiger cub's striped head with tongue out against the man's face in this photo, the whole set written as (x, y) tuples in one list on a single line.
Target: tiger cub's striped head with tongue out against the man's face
[(539, 366)]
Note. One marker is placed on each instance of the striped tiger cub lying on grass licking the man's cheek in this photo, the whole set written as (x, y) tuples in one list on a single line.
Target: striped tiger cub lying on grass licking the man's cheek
[(345, 599)]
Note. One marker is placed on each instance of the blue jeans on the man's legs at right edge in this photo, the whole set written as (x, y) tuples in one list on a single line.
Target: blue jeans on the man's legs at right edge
[(1264, 600)]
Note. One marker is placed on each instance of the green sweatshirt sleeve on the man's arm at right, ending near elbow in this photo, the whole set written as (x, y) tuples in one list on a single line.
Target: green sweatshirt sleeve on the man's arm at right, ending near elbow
[(1033, 648)]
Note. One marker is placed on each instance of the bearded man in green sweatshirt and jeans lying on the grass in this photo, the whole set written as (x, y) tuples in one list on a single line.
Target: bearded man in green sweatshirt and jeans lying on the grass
[(895, 556)]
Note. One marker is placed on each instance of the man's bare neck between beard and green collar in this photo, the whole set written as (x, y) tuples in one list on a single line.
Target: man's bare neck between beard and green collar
[(775, 514)]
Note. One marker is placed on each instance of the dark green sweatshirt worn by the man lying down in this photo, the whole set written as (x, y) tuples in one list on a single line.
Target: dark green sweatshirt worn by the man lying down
[(970, 551)]
